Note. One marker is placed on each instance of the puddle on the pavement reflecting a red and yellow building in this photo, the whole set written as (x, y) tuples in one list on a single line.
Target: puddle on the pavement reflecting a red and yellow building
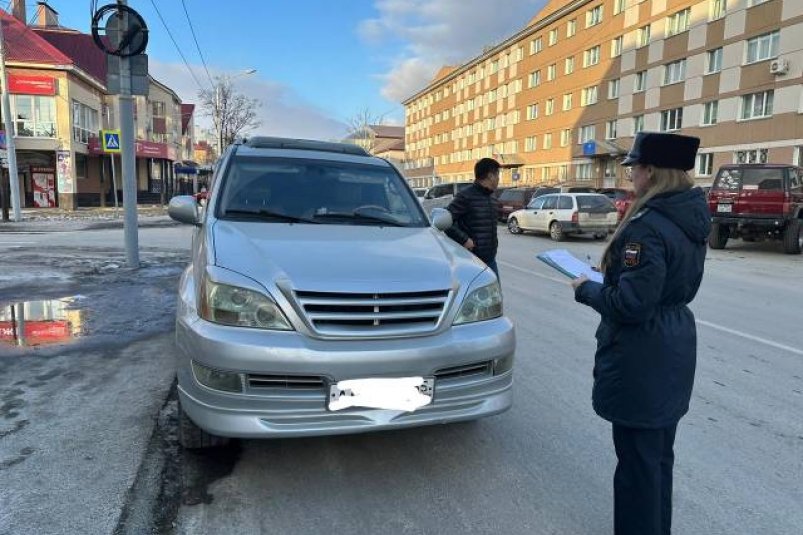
[(44, 322)]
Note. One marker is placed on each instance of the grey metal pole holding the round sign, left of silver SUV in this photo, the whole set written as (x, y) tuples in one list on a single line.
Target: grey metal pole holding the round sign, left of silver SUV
[(128, 157)]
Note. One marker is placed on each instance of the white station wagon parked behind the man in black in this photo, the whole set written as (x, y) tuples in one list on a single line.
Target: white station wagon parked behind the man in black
[(561, 214)]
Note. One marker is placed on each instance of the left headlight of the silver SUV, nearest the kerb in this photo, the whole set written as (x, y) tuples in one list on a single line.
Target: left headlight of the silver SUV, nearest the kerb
[(239, 307)]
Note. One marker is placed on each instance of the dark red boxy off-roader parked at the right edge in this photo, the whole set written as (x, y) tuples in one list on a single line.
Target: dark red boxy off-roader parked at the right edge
[(757, 202)]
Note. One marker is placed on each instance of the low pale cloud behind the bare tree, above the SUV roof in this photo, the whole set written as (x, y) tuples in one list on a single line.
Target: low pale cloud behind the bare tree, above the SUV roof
[(283, 113)]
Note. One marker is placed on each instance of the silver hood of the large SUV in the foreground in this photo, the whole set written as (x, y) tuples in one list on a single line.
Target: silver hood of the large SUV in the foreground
[(343, 258)]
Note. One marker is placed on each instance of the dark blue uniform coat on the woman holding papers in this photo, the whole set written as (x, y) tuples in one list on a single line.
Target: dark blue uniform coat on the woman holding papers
[(647, 340)]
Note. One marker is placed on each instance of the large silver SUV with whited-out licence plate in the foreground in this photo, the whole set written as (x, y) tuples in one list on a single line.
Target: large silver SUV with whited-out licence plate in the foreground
[(320, 300)]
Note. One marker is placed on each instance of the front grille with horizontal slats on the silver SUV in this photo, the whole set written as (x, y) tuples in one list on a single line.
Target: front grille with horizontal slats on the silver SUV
[(364, 314)]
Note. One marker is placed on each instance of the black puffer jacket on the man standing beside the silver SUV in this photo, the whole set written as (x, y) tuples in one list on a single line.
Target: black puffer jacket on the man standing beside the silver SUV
[(474, 212)]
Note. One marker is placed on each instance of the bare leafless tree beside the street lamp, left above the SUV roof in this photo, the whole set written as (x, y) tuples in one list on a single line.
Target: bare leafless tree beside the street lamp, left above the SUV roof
[(232, 113)]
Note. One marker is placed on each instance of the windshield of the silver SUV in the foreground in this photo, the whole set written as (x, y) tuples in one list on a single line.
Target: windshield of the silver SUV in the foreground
[(316, 191)]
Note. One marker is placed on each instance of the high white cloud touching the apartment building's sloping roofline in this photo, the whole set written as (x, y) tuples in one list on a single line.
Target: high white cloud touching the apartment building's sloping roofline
[(440, 32)]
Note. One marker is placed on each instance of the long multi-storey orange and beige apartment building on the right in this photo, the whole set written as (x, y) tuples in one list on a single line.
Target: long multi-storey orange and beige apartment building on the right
[(560, 101)]
